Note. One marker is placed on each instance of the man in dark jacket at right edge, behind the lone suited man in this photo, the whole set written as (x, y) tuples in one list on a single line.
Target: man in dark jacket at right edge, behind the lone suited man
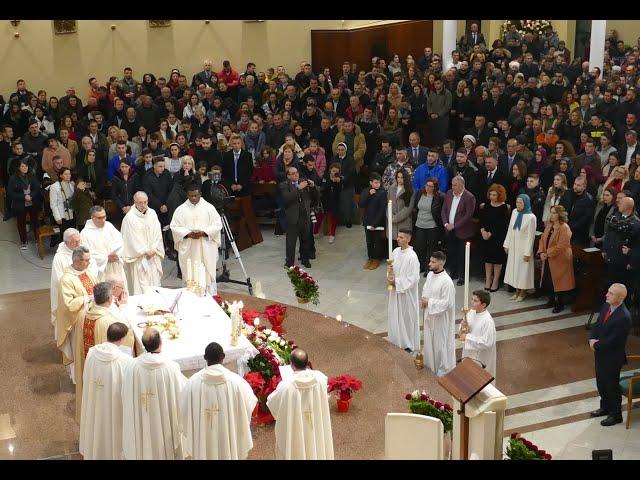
[(621, 245)]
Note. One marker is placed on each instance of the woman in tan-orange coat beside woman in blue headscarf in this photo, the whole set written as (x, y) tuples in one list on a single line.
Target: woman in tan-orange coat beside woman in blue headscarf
[(556, 254)]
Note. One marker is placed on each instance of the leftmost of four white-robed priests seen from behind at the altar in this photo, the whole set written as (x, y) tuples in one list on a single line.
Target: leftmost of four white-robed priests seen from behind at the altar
[(101, 418)]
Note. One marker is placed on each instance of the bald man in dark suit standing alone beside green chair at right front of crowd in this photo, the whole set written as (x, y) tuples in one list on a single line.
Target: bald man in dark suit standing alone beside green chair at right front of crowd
[(607, 339)]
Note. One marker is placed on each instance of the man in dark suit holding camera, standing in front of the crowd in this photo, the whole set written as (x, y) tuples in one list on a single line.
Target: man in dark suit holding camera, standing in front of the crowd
[(297, 203)]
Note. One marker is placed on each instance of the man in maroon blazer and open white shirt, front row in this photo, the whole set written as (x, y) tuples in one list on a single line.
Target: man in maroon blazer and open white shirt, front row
[(457, 215)]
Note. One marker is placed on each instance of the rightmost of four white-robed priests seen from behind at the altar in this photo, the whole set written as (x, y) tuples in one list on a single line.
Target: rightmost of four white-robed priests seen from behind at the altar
[(300, 405)]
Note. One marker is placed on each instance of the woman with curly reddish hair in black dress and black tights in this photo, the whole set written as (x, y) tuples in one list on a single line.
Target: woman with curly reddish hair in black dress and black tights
[(494, 221)]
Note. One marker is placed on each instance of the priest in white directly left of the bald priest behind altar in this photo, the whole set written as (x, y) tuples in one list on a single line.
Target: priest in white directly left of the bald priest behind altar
[(105, 243)]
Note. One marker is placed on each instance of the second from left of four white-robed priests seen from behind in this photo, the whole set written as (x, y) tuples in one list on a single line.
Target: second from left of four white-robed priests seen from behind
[(150, 398)]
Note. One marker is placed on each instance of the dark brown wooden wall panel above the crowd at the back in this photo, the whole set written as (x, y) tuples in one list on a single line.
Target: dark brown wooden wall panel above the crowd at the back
[(329, 48)]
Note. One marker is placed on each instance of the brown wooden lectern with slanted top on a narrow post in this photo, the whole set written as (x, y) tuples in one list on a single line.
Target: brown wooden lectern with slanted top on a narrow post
[(463, 383)]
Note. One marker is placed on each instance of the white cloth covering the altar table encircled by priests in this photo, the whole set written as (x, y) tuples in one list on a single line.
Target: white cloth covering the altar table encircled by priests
[(201, 321)]
